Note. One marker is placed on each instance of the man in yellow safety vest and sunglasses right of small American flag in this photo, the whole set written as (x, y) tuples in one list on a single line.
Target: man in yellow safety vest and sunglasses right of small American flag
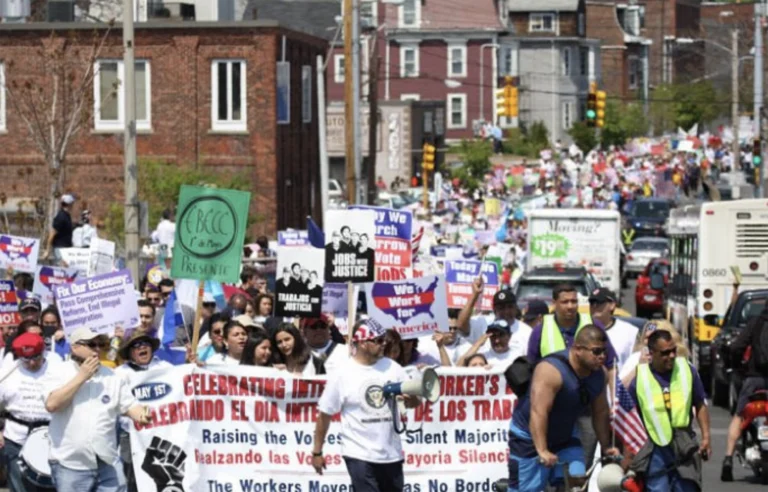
[(666, 391)]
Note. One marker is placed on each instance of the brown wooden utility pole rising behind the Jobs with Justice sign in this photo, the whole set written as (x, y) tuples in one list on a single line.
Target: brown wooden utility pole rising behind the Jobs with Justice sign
[(350, 118)]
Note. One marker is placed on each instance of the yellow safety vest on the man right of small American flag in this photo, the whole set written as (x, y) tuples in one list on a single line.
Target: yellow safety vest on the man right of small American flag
[(660, 422)]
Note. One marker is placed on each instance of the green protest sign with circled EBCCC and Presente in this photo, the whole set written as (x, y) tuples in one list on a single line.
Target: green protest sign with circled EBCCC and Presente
[(210, 230)]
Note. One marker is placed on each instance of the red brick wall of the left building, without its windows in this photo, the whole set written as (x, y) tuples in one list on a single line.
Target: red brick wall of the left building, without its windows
[(180, 61)]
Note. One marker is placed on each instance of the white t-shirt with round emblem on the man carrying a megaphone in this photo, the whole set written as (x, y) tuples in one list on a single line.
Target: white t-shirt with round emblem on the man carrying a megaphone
[(366, 420)]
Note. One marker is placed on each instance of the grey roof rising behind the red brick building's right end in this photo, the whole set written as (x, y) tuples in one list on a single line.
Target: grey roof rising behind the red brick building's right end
[(315, 17)]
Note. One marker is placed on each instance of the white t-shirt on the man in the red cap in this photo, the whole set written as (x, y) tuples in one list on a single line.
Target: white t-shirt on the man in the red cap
[(21, 394)]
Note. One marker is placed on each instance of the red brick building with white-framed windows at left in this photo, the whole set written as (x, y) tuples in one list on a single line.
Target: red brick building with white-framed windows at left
[(233, 98)]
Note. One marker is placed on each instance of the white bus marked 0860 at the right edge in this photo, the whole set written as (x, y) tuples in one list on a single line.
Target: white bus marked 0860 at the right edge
[(708, 243)]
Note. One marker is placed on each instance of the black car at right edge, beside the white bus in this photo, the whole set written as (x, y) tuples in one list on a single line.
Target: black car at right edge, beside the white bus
[(726, 374)]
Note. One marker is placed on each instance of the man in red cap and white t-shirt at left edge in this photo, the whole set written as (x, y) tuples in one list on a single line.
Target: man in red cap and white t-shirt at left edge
[(21, 394)]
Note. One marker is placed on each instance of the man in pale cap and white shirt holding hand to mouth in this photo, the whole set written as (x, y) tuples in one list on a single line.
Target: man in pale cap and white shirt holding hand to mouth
[(85, 400)]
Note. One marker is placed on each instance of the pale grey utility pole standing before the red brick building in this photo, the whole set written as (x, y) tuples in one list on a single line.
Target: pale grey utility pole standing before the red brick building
[(131, 210)]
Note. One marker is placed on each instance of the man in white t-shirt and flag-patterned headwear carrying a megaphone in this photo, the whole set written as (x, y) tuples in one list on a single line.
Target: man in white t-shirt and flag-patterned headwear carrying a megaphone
[(371, 448)]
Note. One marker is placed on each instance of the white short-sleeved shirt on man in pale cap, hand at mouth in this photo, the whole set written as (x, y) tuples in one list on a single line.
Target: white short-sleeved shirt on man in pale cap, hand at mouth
[(86, 428)]
